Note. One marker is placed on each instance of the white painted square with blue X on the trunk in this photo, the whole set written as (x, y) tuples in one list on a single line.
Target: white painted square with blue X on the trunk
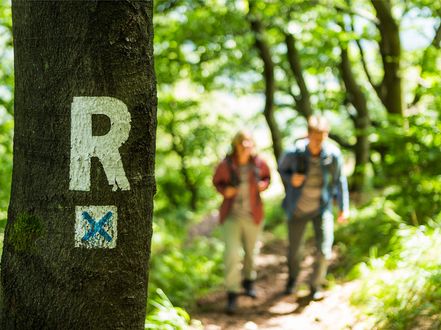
[(96, 226)]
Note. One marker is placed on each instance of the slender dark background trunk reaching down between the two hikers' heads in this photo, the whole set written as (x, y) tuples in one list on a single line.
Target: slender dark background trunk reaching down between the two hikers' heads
[(270, 85)]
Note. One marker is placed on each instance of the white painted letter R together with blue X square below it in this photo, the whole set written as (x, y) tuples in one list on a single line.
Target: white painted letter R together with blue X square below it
[(96, 226)]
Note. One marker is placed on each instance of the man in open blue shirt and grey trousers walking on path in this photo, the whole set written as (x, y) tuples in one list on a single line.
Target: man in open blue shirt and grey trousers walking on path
[(312, 175)]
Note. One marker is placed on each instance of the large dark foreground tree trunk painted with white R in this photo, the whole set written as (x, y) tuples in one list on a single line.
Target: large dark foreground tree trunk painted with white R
[(77, 241)]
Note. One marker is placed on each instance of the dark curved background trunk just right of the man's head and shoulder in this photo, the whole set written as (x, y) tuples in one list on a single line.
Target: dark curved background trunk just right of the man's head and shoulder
[(361, 122)]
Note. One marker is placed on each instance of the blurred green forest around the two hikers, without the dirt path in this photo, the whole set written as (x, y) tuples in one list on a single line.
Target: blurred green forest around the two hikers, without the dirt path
[(372, 67)]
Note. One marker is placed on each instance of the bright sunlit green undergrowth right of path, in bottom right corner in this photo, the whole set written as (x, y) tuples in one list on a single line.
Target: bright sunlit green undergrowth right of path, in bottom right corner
[(401, 290)]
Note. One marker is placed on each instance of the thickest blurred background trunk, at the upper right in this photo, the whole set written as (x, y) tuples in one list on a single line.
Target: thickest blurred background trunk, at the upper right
[(390, 49)]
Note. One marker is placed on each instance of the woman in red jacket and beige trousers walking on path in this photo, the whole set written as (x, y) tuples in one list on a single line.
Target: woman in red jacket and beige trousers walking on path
[(240, 177)]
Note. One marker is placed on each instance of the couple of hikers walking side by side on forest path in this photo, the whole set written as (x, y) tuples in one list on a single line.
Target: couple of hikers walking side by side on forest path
[(312, 176)]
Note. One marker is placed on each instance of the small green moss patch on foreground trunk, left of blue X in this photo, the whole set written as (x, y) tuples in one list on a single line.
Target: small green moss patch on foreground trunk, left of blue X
[(26, 230)]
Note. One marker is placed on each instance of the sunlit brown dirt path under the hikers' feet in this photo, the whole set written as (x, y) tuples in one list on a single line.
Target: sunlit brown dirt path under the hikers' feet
[(274, 310)]
